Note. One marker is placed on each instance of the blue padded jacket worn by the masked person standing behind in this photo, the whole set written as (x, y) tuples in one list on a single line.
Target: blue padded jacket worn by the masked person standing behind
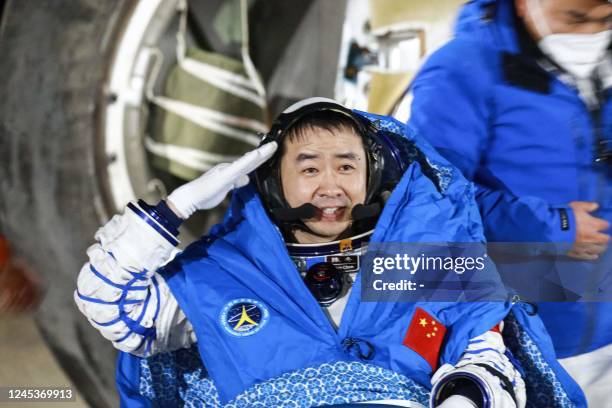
[(528, 142)]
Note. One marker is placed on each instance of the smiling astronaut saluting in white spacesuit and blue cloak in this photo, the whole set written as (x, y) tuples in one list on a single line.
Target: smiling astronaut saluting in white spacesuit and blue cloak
[(265, 310)]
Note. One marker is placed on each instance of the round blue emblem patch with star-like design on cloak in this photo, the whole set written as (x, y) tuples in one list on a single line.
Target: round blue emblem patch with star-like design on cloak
[(244, 317)]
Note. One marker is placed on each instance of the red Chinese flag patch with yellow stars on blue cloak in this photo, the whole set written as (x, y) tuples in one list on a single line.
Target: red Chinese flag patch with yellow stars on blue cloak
[(424, 336)]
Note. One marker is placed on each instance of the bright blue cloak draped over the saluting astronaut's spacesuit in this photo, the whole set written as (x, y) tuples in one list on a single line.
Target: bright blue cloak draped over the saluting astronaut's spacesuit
[(295, 354)]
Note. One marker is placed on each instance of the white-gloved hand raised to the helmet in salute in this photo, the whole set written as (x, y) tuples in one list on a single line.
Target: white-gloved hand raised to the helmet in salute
[(208, 190)]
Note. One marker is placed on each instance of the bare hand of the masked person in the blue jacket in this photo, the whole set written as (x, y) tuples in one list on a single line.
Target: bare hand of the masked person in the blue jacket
[(591, 241)]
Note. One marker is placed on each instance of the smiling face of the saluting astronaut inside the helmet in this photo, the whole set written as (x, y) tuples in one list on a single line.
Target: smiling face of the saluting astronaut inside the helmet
[(327, 168)]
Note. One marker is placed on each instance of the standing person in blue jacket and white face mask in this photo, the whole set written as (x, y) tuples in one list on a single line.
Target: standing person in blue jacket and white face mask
[(520, 100)]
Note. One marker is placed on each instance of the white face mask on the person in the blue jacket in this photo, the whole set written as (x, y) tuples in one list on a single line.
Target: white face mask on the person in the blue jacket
[(578, 54)]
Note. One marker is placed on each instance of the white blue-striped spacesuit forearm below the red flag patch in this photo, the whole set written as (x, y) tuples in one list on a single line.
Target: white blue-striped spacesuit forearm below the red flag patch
[(487, 350)]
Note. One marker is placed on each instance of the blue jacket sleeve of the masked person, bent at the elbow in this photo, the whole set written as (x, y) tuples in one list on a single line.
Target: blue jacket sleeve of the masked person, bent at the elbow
[(453, 107)]
